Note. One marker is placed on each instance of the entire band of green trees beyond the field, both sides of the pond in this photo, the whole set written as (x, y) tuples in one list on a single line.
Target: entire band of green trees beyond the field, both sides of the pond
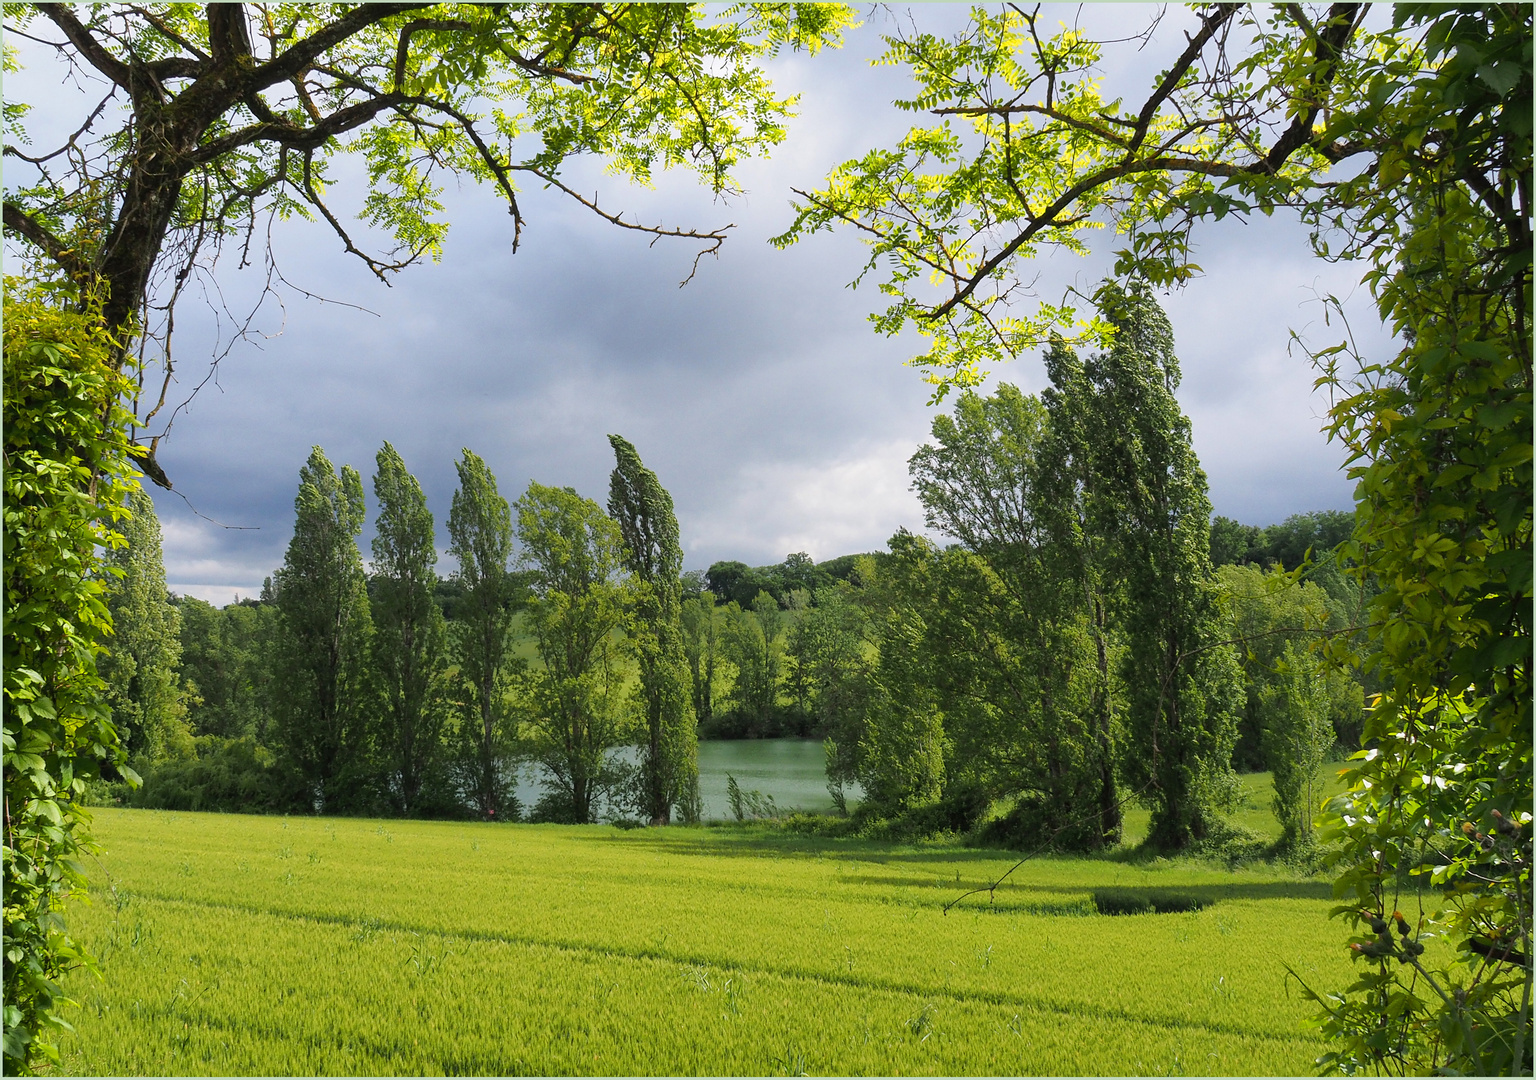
[(1087, 637)]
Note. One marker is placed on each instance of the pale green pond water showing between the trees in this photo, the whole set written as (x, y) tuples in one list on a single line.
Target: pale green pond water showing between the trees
[(793, 772)]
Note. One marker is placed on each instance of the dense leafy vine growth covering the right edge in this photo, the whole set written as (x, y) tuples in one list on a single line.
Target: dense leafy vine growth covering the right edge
[(1440, 440)]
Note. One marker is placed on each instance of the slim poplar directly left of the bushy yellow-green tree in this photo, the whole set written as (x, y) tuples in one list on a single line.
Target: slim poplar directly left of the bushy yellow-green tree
[(480, 538)]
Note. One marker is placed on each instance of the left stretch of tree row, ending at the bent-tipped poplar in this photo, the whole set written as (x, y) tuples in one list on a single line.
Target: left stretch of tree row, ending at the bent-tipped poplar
[(343, 691)]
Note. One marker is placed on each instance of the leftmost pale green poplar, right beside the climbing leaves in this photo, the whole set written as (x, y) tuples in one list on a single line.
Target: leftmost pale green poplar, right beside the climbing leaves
[(144, 661)]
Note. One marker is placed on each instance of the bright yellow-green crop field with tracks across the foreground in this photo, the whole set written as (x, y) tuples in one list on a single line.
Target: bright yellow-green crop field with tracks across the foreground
[(265, 946)]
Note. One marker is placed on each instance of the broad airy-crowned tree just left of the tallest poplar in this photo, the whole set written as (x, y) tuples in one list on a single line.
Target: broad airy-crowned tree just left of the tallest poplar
[(1011, 617)]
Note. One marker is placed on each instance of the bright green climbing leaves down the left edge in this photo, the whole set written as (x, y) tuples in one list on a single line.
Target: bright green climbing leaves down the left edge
[(67, 482)]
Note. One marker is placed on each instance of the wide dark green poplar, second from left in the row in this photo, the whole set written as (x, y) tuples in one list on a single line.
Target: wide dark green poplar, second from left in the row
[(320, 657)]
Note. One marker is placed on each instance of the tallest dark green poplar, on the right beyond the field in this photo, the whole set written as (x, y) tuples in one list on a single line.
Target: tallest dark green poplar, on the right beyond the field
[(1150, 502)]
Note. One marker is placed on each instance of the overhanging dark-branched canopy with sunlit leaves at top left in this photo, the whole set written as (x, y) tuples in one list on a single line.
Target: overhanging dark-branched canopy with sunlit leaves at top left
[(214, 122)]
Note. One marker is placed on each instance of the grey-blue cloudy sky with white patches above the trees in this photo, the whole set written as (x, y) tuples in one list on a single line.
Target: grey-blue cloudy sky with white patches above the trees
[(760, 394)]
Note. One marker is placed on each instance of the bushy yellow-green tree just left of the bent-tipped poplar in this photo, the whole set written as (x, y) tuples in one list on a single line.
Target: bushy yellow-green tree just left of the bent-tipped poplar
[(581, 601)]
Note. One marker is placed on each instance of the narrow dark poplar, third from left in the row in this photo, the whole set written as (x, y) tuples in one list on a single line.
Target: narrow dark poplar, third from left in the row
[(409, 634)]
